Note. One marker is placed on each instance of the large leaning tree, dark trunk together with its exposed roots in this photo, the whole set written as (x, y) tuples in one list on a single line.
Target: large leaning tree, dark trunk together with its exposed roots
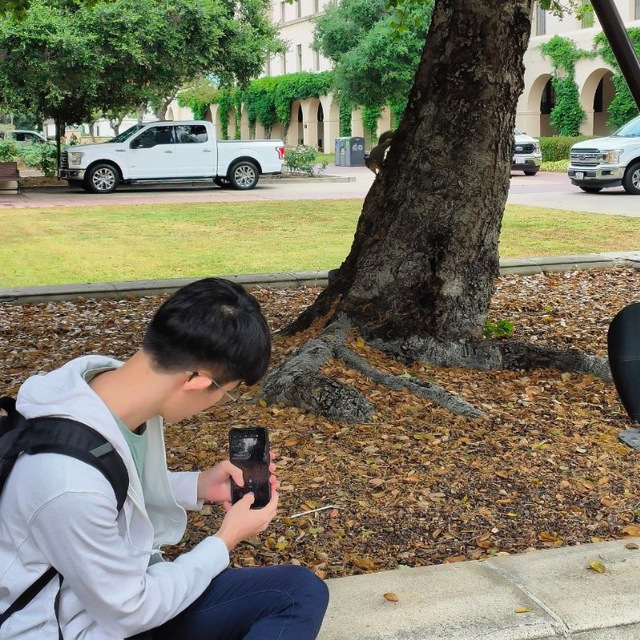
[(418, 280)]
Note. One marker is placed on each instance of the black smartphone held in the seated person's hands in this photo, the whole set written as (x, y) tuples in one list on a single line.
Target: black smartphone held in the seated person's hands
[(249, 450)]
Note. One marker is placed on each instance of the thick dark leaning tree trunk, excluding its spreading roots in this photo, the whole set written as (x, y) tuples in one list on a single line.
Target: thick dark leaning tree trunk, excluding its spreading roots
[(425, 253)]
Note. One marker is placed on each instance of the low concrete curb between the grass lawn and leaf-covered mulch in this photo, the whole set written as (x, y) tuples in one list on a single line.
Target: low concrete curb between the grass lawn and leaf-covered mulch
[(523, 266)]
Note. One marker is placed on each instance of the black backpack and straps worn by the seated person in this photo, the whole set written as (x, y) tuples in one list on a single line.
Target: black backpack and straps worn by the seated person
[(55, 435)]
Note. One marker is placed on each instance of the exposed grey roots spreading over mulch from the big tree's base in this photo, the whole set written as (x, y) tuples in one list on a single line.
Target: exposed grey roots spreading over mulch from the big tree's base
[(297, 381)]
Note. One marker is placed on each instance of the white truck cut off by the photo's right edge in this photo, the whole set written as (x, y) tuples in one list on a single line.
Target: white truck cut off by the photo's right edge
[(608, 162)]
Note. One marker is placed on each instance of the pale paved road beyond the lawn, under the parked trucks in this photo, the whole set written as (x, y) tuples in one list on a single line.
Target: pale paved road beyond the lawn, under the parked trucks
[(552, 190)]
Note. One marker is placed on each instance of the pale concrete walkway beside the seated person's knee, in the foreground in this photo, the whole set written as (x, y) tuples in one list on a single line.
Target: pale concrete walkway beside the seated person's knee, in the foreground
[(538, 595)]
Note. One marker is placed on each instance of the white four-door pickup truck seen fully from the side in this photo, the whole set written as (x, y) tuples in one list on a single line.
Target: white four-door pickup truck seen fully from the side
[(170, 151)]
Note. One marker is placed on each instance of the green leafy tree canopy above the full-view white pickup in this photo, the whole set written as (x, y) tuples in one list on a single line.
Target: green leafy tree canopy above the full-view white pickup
[(68, 61)]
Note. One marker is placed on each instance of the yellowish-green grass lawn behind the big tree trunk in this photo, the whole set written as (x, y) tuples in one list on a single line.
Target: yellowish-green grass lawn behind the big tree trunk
[(74, 245)]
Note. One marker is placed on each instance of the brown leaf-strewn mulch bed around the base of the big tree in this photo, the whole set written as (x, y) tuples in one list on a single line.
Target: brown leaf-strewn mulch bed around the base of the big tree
[(416, 485)]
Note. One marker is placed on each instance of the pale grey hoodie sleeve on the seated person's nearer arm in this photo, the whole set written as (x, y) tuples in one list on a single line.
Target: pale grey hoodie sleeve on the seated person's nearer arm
[(110, 578)]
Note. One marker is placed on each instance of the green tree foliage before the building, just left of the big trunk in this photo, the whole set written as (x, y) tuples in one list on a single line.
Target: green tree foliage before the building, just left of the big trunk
[(375, 48)]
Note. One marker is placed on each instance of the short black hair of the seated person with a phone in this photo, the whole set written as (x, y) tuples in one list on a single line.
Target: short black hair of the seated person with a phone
[(213, 324)]
